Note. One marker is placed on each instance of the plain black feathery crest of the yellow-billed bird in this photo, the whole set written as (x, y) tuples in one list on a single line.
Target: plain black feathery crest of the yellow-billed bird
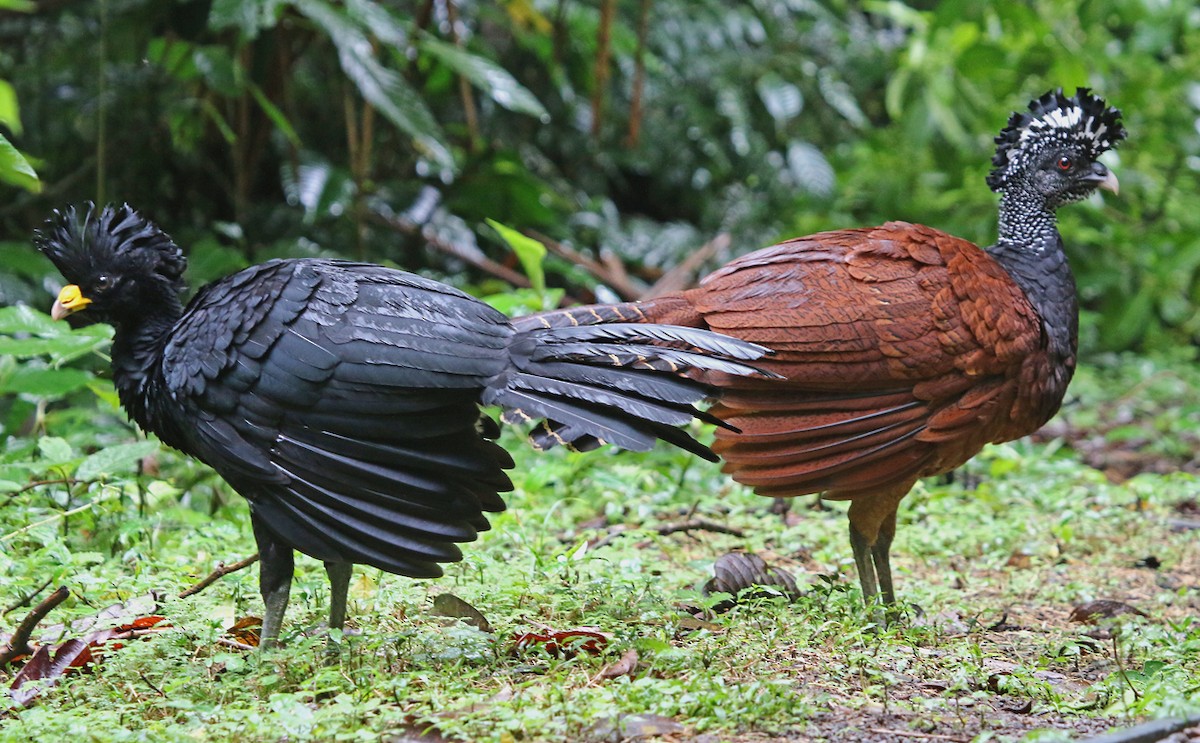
[(85, 244)]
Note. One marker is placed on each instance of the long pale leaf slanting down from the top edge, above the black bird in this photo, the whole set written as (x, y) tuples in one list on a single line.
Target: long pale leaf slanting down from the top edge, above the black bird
[(381, 87)]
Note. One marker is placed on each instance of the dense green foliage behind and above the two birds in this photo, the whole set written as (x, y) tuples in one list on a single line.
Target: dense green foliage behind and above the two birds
[(759, 119)]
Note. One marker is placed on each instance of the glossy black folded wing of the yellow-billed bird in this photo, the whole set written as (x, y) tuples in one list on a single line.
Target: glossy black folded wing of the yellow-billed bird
[(343, 402)]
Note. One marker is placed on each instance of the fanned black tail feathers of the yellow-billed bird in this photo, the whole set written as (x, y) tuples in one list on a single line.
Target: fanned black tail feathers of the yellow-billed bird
[(595, 378)]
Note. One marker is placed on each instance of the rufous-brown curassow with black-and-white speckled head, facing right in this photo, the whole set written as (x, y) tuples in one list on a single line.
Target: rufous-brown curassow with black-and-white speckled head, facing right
[(901, 350)]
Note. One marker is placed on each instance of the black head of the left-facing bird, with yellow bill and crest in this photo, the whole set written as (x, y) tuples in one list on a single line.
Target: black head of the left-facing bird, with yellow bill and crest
[(117, 263)]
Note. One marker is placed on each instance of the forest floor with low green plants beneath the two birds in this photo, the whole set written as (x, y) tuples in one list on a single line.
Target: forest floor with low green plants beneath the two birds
[(1051, 591)]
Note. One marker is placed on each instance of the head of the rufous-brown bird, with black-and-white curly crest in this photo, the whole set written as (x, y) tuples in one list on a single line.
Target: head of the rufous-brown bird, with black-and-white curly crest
[(1053, 149)]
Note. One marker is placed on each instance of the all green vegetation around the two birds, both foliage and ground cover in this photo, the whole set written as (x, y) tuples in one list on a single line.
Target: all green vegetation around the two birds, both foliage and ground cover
[(633, 135)]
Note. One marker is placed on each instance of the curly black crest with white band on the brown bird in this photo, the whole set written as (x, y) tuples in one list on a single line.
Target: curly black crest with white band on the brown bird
[(1083, 121)]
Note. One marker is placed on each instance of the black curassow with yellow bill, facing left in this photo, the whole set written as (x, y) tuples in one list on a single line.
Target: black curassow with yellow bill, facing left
[(343, 399)]
